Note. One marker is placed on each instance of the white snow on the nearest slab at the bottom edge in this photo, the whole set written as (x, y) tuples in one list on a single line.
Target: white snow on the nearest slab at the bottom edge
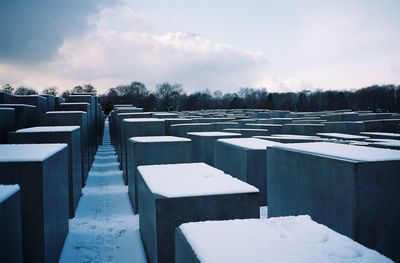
[(278, 239)]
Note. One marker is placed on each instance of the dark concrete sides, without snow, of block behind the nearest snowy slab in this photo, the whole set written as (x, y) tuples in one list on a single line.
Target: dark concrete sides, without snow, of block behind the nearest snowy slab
[(159, 215)]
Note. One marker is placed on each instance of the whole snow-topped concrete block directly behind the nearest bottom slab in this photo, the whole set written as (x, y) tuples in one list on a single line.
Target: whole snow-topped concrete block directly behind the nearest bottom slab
[(172, 194)]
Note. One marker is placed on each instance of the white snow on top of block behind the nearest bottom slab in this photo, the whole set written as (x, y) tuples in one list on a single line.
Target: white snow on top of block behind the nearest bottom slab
[(191, 179)]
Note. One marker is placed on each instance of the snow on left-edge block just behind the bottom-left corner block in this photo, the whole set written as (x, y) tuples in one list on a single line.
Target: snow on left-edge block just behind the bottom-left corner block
[(29, 152)]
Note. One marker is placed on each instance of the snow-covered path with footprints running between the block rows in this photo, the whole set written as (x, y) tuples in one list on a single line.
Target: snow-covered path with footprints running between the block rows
[(104, 228)]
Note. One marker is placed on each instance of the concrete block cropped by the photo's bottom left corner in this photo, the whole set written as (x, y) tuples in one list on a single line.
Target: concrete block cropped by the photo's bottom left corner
[(10, 224)]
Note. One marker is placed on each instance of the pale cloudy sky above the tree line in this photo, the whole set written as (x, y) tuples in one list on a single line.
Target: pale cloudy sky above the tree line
[(222, 45)]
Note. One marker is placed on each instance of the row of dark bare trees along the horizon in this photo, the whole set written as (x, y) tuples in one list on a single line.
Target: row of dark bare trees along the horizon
[(172, 97)]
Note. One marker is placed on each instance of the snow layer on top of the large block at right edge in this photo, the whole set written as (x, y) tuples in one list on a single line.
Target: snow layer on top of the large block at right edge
[(343, 151)]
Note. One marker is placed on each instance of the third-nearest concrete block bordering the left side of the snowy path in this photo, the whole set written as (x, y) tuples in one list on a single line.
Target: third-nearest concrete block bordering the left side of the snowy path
[(72, 118)]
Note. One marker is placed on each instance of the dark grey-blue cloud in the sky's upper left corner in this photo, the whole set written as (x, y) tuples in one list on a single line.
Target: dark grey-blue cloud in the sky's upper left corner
[(32, 30)]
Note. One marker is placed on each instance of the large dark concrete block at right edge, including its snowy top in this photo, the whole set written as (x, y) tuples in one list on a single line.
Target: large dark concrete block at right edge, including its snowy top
[(353, 190)]
